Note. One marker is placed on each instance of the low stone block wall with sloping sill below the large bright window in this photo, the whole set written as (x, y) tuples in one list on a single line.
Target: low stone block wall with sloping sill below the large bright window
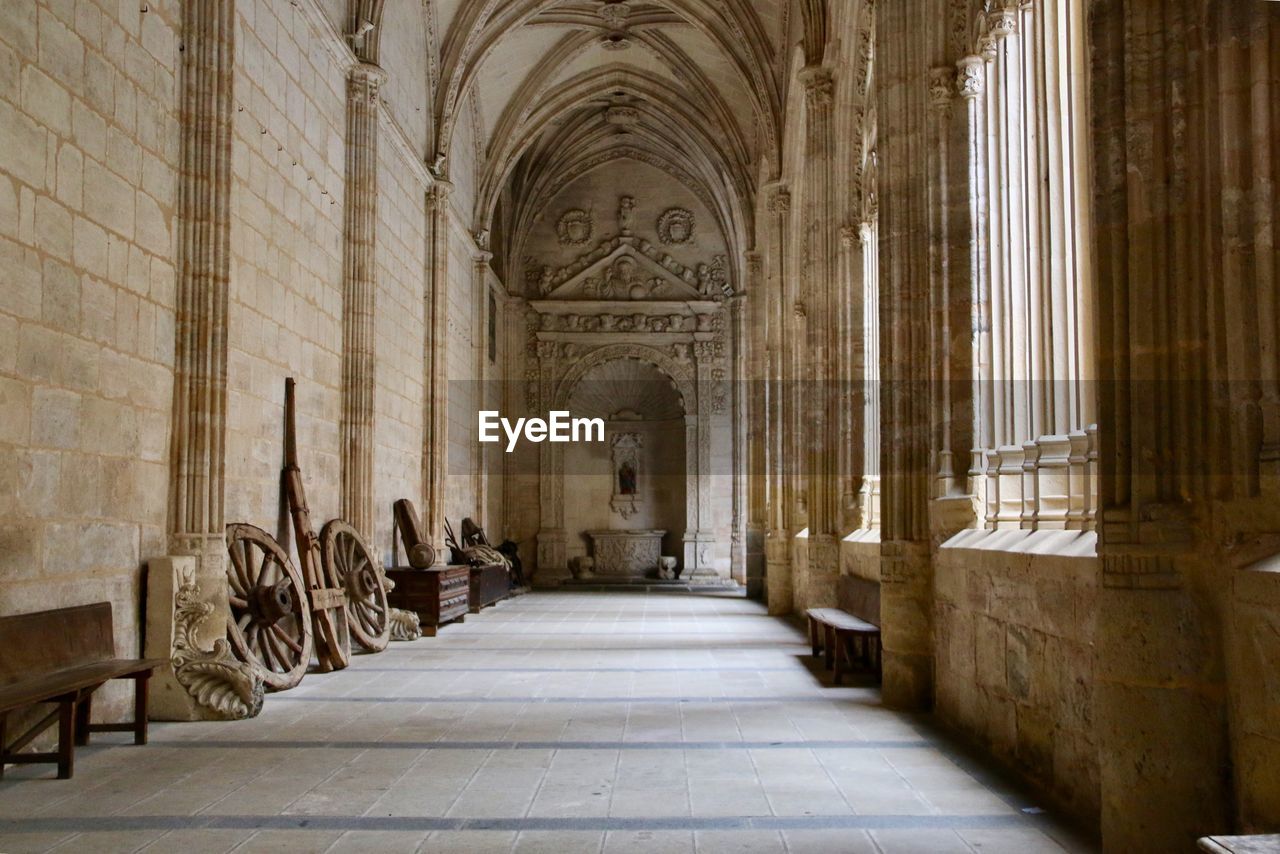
[(1014, 624)]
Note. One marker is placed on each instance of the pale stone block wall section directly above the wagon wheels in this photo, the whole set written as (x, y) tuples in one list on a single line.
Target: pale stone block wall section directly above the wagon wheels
[(286, 300)]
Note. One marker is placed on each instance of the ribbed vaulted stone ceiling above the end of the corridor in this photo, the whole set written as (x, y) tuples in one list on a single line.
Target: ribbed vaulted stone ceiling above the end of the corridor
[(560, 88)]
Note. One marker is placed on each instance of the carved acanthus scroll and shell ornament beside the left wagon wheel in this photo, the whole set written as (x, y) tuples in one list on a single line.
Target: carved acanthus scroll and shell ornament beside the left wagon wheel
[(216, 679)]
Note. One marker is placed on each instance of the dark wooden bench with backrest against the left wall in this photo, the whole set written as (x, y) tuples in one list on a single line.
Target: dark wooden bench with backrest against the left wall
[(63, 657)]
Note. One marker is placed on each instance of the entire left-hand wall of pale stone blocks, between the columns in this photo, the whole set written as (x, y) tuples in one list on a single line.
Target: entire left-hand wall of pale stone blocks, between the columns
[(90, 185)]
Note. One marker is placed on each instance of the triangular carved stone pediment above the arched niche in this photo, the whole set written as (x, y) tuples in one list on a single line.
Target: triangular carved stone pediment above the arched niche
[(627, 273)]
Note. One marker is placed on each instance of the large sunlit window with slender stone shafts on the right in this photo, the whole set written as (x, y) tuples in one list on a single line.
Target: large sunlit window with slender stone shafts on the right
[(1036, 439)]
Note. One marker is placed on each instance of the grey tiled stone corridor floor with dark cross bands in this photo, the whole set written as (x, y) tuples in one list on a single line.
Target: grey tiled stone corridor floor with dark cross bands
[(559, 723)]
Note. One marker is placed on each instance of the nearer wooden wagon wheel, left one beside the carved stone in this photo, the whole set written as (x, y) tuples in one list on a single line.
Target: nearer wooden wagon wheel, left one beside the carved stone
[(271, 627)]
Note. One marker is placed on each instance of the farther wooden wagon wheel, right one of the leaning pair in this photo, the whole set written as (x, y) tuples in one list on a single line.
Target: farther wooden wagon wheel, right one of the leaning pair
[(350, 567)]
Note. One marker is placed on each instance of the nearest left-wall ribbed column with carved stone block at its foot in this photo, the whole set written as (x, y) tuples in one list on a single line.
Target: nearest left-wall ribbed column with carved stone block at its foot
[(188, 591)]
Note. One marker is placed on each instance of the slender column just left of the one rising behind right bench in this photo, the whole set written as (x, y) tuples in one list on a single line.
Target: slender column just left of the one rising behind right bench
[(778, 545)]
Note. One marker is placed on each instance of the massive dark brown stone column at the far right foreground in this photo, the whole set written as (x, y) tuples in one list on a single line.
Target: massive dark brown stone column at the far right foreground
[(1187, 158)]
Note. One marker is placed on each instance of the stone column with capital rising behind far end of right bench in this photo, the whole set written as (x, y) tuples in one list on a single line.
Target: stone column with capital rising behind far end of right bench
[(822, 410)]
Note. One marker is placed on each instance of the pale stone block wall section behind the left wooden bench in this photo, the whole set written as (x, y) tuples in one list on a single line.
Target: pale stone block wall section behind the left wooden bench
[(89, 159)]
